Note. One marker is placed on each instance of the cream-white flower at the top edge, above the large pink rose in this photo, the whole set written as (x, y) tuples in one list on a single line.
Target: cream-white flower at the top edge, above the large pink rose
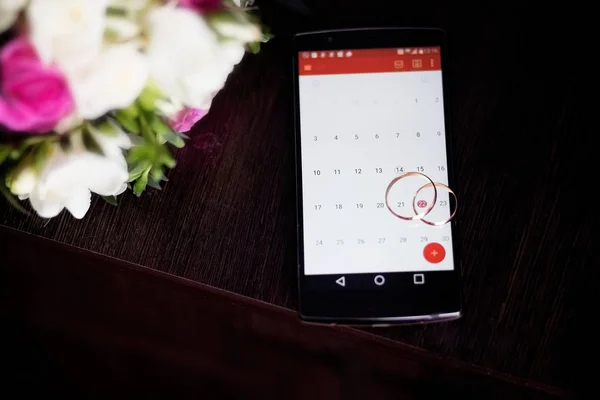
[(67, 32)]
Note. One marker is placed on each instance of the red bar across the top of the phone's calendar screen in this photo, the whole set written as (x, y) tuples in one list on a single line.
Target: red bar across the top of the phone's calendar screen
[(334, 62)]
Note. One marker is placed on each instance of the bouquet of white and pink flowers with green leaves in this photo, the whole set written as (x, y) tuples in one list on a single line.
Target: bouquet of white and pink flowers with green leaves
[(95, 93)]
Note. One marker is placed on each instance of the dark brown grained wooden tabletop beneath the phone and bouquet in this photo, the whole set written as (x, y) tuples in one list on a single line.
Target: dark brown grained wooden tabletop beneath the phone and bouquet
[(519, 74)]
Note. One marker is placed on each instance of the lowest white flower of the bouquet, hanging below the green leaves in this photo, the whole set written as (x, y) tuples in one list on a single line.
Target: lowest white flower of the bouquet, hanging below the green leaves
[(68, 177)]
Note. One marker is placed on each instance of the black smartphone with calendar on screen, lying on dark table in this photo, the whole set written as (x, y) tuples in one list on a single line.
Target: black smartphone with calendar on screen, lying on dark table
[(373, 170)]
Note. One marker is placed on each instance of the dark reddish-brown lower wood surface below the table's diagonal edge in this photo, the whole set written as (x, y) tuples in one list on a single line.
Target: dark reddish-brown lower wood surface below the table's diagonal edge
[(97, 327)]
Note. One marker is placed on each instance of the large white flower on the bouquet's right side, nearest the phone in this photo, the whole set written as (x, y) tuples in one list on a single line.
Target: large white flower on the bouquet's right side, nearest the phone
[(186, 60)]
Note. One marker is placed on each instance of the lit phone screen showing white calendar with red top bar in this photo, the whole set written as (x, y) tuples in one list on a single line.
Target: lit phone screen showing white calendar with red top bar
[(368, 116)]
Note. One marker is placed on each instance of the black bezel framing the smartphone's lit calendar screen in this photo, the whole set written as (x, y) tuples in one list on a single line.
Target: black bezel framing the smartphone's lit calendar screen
[(399, 301)]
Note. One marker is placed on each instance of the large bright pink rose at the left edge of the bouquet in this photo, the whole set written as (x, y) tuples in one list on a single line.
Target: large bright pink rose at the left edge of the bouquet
[(33, 97)]
